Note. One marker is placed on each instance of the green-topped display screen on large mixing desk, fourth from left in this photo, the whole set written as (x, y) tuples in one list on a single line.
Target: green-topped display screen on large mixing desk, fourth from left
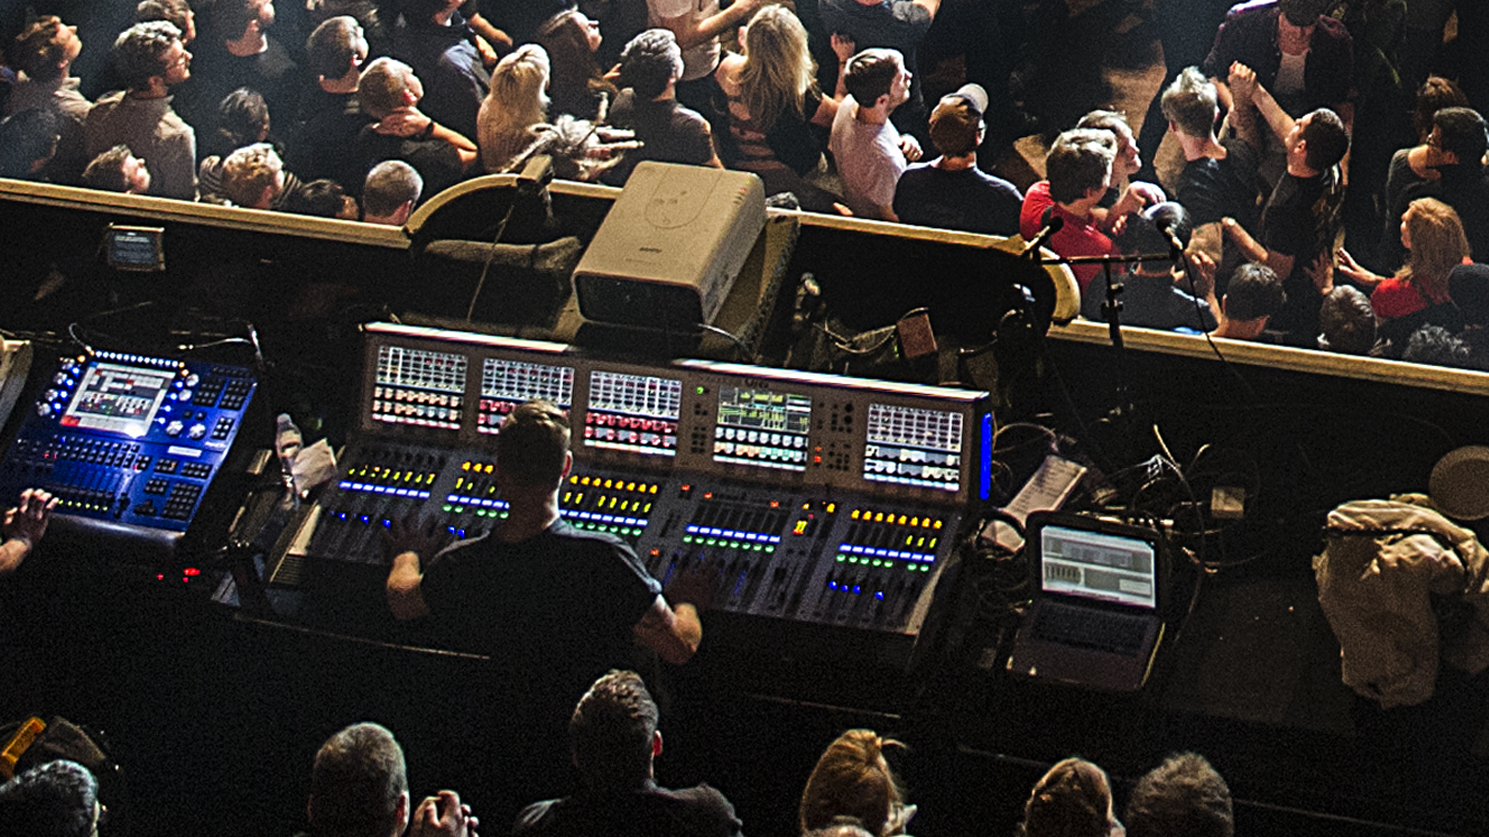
[(762, 428)]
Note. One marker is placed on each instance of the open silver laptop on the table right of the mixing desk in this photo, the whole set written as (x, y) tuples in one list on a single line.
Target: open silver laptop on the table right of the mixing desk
[(1097, 619)]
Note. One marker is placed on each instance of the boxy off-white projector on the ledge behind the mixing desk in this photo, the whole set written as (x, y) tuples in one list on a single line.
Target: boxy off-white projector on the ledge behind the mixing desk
[(672, 246)]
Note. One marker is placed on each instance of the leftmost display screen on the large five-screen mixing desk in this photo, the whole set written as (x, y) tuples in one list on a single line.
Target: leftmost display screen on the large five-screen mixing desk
[(419, 388)]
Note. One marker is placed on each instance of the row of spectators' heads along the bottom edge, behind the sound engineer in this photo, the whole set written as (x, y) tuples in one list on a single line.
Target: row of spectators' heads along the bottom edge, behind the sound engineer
[(360, 789)]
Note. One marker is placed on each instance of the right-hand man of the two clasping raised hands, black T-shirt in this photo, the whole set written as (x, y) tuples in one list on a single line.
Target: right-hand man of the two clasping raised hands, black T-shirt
[(1301, 221)]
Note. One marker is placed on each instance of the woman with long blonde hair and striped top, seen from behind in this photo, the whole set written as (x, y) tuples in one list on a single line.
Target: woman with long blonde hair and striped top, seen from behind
[(774, 104)]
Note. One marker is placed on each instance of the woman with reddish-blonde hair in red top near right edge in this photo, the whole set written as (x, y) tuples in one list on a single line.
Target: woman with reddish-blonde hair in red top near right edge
[(1417, 296)]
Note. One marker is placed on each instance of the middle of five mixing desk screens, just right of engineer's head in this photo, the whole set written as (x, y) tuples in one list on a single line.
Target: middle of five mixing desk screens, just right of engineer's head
[(634, 413)]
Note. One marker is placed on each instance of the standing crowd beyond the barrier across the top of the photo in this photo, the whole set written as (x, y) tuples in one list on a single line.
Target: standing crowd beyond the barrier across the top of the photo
[(382, 105)]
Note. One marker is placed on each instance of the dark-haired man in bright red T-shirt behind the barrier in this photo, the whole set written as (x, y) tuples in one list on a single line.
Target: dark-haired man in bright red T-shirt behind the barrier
[(1079, 171)]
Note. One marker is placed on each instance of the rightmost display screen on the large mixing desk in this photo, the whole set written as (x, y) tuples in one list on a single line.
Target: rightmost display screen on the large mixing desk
[(915, 448)]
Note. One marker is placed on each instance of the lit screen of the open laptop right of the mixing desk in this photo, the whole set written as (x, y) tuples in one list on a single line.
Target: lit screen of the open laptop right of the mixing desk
[(1098, 565)]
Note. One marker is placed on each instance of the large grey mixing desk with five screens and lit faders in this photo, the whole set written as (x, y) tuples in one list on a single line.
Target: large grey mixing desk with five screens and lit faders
[(820, 500)]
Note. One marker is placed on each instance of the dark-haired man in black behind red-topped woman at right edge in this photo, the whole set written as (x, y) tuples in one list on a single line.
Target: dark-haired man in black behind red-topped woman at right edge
[(1460, 138)]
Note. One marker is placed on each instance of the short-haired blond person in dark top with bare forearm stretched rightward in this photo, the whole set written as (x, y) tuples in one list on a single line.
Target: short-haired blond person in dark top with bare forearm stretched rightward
[(391, 93)]
